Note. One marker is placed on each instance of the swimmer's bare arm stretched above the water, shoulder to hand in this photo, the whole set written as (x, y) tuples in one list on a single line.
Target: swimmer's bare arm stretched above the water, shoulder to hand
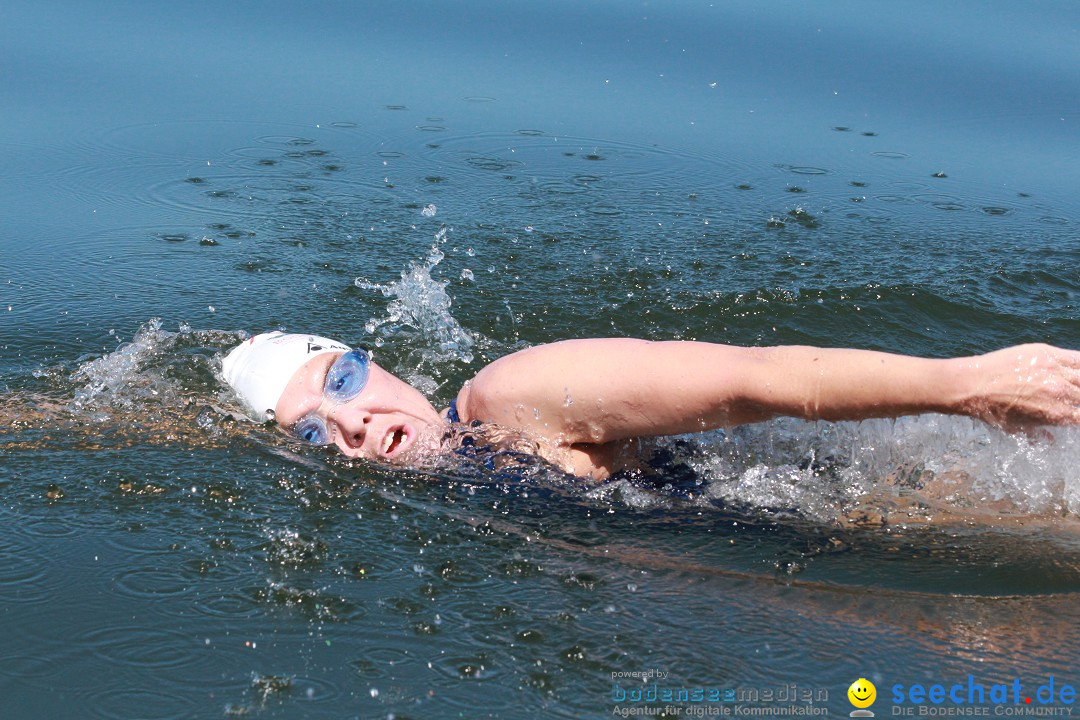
[(604, 390)]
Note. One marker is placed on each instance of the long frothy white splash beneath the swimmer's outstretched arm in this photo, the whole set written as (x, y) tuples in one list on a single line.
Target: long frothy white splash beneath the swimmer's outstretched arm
[(920, 469)]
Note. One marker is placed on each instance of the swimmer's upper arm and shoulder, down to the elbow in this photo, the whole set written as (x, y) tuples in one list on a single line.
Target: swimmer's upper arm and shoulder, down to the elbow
[(602, 390)]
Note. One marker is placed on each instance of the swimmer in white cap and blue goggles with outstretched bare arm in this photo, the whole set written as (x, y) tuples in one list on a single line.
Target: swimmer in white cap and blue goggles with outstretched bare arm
[(586, 400)]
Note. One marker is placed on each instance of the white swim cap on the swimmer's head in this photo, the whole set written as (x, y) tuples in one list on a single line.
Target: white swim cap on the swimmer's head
[(261, 369)]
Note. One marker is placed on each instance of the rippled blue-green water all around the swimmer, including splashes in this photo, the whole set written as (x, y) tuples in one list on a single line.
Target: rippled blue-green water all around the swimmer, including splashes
[(450, 184)]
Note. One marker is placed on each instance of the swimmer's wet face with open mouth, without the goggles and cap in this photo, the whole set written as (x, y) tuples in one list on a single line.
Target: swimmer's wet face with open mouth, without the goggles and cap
[(384, 423)]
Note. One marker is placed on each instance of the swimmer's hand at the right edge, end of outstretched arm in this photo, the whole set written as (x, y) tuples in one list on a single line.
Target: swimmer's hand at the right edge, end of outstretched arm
[(1021, 387)]
